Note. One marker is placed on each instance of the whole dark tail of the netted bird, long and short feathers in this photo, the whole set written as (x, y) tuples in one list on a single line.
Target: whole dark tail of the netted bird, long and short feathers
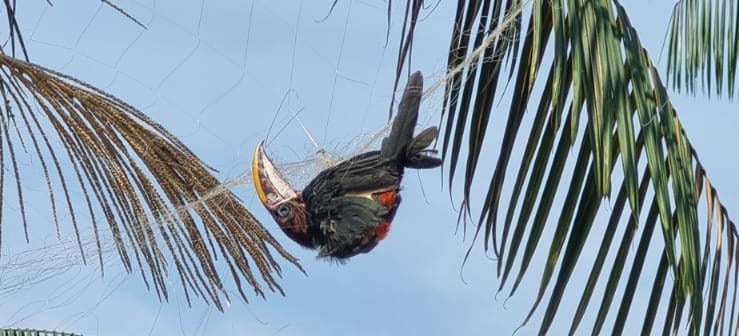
[(400, 143)]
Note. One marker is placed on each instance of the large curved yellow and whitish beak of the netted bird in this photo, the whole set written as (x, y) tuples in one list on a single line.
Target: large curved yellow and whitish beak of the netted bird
[(272, 188)]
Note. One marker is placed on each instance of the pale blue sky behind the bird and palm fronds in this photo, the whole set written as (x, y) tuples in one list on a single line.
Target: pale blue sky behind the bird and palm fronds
[(216, 74)]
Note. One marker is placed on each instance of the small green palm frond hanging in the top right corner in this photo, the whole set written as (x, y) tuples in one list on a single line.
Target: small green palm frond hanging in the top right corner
[(704, 45)]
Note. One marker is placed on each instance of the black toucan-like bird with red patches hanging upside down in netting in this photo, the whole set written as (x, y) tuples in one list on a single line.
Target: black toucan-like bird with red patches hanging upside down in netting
[(347, 209)]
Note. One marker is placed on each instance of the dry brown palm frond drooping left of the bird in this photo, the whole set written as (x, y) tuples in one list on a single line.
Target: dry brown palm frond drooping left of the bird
[(161, 202)]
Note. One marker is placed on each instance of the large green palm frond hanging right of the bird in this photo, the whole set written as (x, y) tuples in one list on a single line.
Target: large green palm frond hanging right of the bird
[(598, 103)]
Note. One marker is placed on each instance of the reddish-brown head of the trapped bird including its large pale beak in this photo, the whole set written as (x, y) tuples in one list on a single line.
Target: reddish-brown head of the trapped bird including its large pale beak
[(282, 201)]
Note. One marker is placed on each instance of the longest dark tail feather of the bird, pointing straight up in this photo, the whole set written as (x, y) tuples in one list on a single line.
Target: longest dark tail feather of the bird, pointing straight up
[(401, 133)]
